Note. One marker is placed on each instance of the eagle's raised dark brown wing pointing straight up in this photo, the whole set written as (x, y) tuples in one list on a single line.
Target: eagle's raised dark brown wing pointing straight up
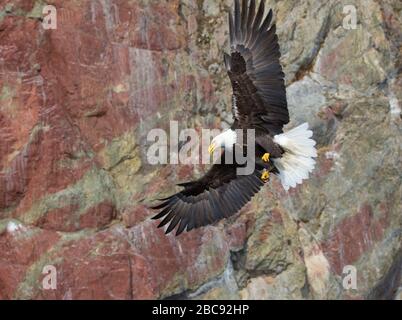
[(259, 93)]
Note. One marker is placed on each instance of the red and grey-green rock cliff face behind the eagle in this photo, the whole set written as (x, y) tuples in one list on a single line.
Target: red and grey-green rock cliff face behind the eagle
[(77, 103)]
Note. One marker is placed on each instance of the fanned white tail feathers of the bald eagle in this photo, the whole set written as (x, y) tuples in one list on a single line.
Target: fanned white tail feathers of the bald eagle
[(297, 161)]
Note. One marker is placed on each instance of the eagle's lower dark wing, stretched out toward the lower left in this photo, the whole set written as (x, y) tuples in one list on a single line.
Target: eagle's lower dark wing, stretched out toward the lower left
[(219, 194)]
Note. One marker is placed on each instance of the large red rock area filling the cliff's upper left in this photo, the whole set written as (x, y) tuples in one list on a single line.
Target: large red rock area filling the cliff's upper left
[(70, 101)]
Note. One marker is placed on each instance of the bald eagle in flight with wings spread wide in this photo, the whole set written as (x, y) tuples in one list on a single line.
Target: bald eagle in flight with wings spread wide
[(259, 103)]
